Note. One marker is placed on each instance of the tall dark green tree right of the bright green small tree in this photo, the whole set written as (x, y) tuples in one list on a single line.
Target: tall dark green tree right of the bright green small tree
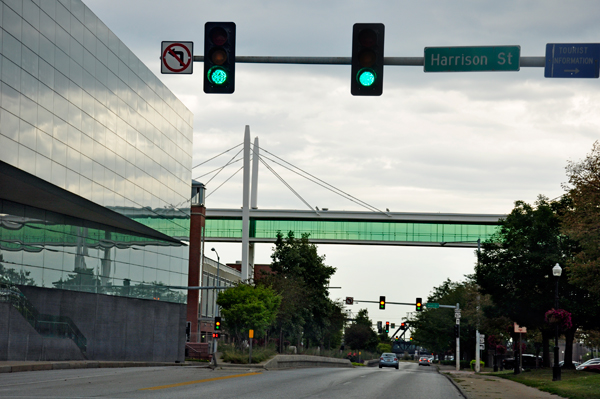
[(297, 259)]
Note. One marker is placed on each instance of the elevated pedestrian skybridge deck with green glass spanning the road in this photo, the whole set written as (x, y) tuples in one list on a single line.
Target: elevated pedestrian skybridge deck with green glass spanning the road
[(354, 228)]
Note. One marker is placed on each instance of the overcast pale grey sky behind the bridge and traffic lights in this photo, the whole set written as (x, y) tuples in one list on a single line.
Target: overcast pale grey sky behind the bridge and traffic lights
[(433, 142)]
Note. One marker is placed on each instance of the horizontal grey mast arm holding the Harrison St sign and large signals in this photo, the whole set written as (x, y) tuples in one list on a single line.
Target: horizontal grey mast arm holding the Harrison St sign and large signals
[(534, 62)]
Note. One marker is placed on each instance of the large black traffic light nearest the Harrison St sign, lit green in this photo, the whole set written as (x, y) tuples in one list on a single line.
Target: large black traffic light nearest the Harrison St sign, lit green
[(367, 59)]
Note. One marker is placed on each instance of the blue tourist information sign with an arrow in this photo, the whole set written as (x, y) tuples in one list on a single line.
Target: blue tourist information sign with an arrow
[(572, 60)]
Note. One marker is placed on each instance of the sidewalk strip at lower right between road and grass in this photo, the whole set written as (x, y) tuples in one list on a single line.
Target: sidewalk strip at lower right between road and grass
[(476, 386)]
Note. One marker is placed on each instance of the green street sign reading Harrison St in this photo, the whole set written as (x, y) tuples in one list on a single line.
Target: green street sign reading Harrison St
[(472, 59)]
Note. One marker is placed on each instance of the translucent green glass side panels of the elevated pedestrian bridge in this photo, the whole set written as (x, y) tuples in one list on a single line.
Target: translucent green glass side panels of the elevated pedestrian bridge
[(353, 230)]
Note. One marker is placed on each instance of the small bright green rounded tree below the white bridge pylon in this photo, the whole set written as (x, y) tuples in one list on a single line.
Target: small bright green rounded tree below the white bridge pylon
[(245, 307)]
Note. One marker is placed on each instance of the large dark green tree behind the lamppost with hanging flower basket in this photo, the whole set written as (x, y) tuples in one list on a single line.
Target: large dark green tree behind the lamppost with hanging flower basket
[(515, 269)]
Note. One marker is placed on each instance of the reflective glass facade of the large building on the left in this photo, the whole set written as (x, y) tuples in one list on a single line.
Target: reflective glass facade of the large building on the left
[(95, 159)]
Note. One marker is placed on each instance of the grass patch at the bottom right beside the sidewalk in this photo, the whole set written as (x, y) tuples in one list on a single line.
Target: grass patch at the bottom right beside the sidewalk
[(574, 384)]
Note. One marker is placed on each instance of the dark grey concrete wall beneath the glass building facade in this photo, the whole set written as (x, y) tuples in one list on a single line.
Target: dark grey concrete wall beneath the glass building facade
[(116, 328)]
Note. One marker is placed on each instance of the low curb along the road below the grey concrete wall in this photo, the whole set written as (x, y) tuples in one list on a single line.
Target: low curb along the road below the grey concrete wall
[(82, 365)]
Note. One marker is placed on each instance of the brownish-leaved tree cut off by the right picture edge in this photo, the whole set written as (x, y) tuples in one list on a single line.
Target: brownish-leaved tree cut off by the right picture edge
[(582, 222)]
